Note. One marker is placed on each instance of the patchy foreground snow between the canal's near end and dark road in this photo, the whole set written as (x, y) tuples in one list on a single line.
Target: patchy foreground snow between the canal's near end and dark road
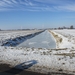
[(46, 60)]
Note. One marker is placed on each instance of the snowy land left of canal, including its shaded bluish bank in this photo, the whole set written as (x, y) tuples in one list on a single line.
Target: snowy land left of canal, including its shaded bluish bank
[(12, 38)]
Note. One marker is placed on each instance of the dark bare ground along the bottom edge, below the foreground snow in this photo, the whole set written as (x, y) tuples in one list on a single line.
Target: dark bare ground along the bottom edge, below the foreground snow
[(5, 69)]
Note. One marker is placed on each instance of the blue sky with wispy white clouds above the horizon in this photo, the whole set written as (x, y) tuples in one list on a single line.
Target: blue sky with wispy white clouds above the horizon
[(16, 14)]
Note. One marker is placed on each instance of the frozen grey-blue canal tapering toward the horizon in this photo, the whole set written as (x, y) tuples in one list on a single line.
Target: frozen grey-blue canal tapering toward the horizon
[(43, 40)]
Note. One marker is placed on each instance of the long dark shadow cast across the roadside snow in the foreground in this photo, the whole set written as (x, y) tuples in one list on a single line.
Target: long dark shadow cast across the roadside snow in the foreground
[(21, 67)]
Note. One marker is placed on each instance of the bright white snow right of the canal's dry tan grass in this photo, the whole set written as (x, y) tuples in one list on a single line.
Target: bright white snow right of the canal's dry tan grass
[(68, 38)]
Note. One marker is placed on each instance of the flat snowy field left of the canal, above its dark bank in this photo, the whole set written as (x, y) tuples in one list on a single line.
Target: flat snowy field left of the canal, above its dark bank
[(5, 35)]
